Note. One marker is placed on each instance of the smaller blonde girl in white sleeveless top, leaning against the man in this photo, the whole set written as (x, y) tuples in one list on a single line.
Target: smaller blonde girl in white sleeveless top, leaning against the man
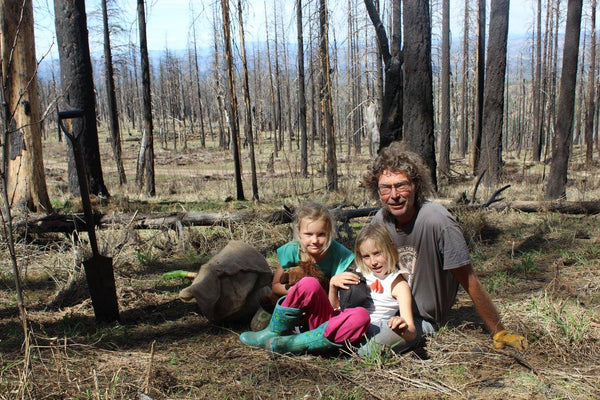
[(377, 259)]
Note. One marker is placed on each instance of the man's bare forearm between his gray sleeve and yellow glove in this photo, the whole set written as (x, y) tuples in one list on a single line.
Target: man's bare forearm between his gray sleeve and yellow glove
[(483, 304)]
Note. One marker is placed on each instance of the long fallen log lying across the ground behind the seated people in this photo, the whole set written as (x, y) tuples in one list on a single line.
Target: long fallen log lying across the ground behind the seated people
[(69, 223)]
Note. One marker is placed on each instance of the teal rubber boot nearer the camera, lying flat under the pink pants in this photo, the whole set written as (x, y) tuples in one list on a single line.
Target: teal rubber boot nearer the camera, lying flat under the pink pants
[(310, 341)]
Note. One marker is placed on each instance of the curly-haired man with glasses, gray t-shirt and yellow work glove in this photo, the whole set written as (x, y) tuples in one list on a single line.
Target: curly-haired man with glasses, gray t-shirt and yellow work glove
[(430, 243)]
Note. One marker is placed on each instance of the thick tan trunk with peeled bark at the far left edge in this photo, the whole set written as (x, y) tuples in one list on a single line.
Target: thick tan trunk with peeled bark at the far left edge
[(23, 161)]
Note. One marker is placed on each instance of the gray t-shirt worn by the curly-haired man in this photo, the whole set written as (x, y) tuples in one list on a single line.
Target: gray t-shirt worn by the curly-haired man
[(429, 247)]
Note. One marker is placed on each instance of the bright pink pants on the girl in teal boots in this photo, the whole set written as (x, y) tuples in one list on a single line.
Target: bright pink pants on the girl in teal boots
[(308, 295)]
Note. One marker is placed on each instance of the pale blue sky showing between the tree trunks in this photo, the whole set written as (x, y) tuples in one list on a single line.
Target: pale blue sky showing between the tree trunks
[(169, 21)]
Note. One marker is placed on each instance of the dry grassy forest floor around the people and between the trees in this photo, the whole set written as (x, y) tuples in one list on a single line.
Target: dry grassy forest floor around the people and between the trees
[(541, 270)]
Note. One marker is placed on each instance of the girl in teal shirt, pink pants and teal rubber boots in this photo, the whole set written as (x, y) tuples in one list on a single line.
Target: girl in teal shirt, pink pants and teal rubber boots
[(306, 301)]
